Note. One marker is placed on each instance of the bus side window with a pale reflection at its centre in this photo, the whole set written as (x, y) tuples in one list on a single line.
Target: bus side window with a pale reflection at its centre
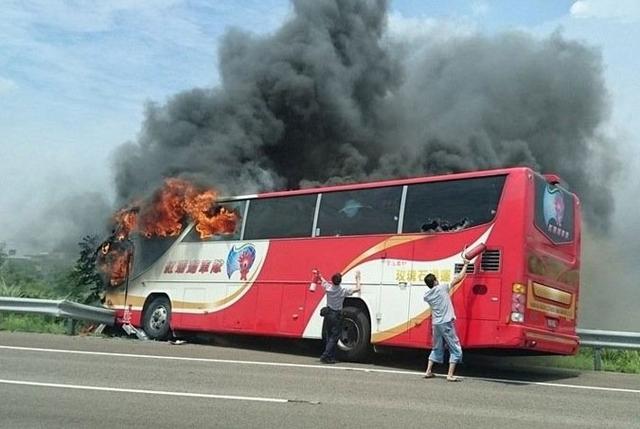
[(364, 211)]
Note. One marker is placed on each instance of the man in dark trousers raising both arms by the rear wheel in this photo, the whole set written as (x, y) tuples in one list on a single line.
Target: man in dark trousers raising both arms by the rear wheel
[(333, 320)]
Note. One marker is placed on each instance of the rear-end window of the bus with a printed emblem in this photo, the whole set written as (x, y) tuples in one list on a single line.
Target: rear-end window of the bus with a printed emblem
[(554, 211)]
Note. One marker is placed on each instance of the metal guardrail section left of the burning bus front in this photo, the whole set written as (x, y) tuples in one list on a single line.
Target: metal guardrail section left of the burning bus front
[(58, 308)]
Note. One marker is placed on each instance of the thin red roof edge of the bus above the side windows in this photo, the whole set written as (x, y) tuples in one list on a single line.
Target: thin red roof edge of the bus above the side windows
[(382, 183)]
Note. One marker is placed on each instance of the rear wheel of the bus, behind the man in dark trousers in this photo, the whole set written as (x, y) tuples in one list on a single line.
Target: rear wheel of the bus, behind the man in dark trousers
[(355, 340)]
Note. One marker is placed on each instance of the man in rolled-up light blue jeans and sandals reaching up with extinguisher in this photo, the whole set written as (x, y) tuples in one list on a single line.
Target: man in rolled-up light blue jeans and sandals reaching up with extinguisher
[(442, 320)]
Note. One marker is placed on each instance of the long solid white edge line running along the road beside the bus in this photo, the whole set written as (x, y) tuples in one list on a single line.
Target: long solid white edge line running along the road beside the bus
[(325, 367)]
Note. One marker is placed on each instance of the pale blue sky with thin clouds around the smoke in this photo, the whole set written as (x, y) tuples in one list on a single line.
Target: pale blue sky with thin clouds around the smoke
[(75, 77)]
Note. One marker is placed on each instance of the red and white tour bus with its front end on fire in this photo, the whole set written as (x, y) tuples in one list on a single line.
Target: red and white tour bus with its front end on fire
[(520, 294)]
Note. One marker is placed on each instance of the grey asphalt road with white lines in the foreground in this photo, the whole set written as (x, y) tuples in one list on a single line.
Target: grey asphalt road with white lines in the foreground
[(52, 381)]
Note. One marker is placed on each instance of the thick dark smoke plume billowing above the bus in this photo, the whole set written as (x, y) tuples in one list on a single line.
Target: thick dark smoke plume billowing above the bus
[(331, 97)]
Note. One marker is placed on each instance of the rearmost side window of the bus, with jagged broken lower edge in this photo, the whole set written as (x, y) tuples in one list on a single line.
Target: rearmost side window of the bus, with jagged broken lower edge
[(451, 205)]
